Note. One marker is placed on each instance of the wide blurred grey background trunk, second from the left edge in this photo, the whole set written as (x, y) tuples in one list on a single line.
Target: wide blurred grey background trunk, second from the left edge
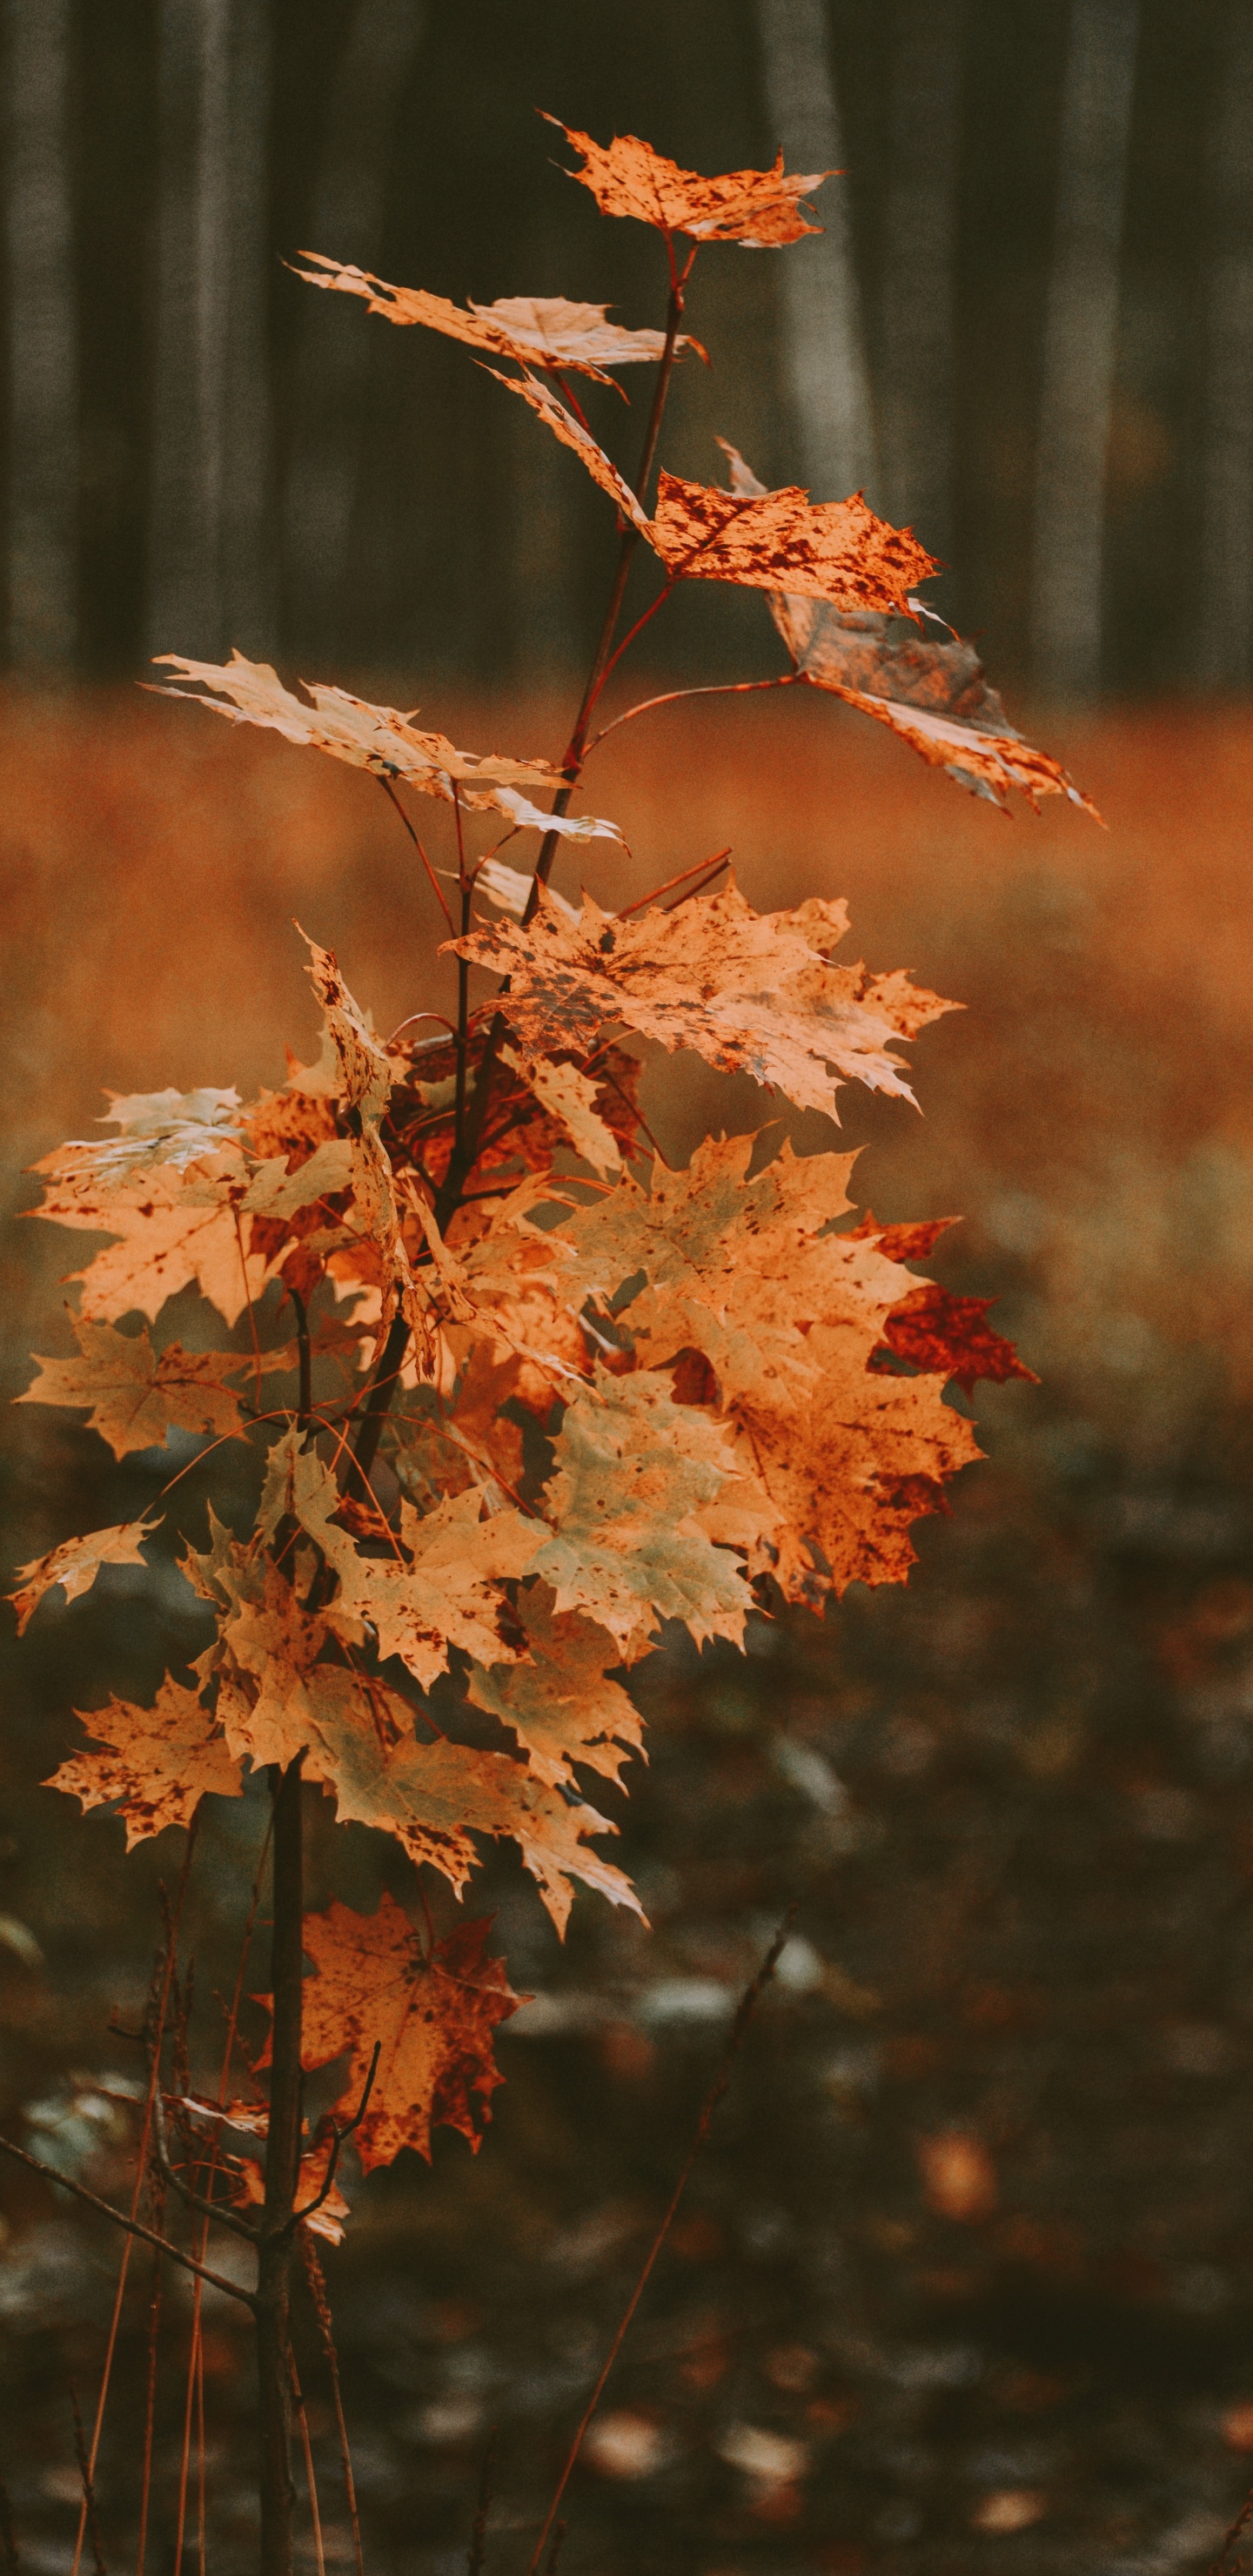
[(210, 545)]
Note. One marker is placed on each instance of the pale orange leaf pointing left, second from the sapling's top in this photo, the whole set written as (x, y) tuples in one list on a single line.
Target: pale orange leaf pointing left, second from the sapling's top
[(535, 331)]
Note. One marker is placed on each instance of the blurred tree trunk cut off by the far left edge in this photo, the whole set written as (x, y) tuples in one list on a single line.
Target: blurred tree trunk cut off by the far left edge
[(43, 339)]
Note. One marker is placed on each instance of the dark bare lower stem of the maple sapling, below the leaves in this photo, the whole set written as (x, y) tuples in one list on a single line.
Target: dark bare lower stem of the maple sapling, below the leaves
[(282, 2181)]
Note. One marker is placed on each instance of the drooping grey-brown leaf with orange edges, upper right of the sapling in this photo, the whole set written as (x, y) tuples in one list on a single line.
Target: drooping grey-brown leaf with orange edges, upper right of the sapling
[(935, 697)]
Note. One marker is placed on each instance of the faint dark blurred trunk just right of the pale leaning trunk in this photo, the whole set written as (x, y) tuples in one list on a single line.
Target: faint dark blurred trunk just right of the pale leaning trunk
[(917, 375)]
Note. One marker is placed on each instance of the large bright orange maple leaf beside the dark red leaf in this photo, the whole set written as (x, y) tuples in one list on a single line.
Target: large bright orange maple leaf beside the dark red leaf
[(837, 1462)]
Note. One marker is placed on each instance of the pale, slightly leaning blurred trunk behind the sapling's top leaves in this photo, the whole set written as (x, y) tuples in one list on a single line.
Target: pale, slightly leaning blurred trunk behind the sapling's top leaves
[(824, 346)]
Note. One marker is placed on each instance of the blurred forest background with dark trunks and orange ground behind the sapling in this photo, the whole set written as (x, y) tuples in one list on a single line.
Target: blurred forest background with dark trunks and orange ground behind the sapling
[(966, 2278)]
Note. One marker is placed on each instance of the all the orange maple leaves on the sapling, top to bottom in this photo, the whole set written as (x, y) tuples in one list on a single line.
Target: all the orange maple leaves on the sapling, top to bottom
[(520, 1390)]
